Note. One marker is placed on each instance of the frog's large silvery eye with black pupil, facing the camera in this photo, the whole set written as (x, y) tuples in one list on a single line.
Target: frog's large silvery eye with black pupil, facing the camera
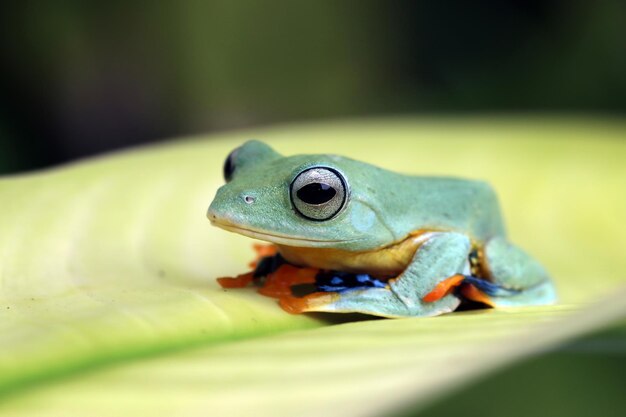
[(319, 193)]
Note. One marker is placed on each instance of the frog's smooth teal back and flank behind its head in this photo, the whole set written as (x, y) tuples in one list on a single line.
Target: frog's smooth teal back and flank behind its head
[(439, 203)]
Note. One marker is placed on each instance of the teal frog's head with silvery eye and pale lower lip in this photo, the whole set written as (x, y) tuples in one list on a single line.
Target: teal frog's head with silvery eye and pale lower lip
[(304, 200)]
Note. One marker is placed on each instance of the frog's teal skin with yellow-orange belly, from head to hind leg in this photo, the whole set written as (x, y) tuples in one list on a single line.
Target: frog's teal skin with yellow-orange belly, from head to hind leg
[(419, 231)]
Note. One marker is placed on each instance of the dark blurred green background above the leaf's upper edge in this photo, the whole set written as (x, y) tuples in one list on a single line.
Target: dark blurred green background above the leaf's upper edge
[(79, 78)]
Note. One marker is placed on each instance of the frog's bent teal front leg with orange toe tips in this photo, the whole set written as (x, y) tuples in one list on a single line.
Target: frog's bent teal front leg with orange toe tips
[(440, 257)]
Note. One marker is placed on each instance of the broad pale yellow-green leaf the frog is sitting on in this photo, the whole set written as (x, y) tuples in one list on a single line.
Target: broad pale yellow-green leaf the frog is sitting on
[(111, 259)]
